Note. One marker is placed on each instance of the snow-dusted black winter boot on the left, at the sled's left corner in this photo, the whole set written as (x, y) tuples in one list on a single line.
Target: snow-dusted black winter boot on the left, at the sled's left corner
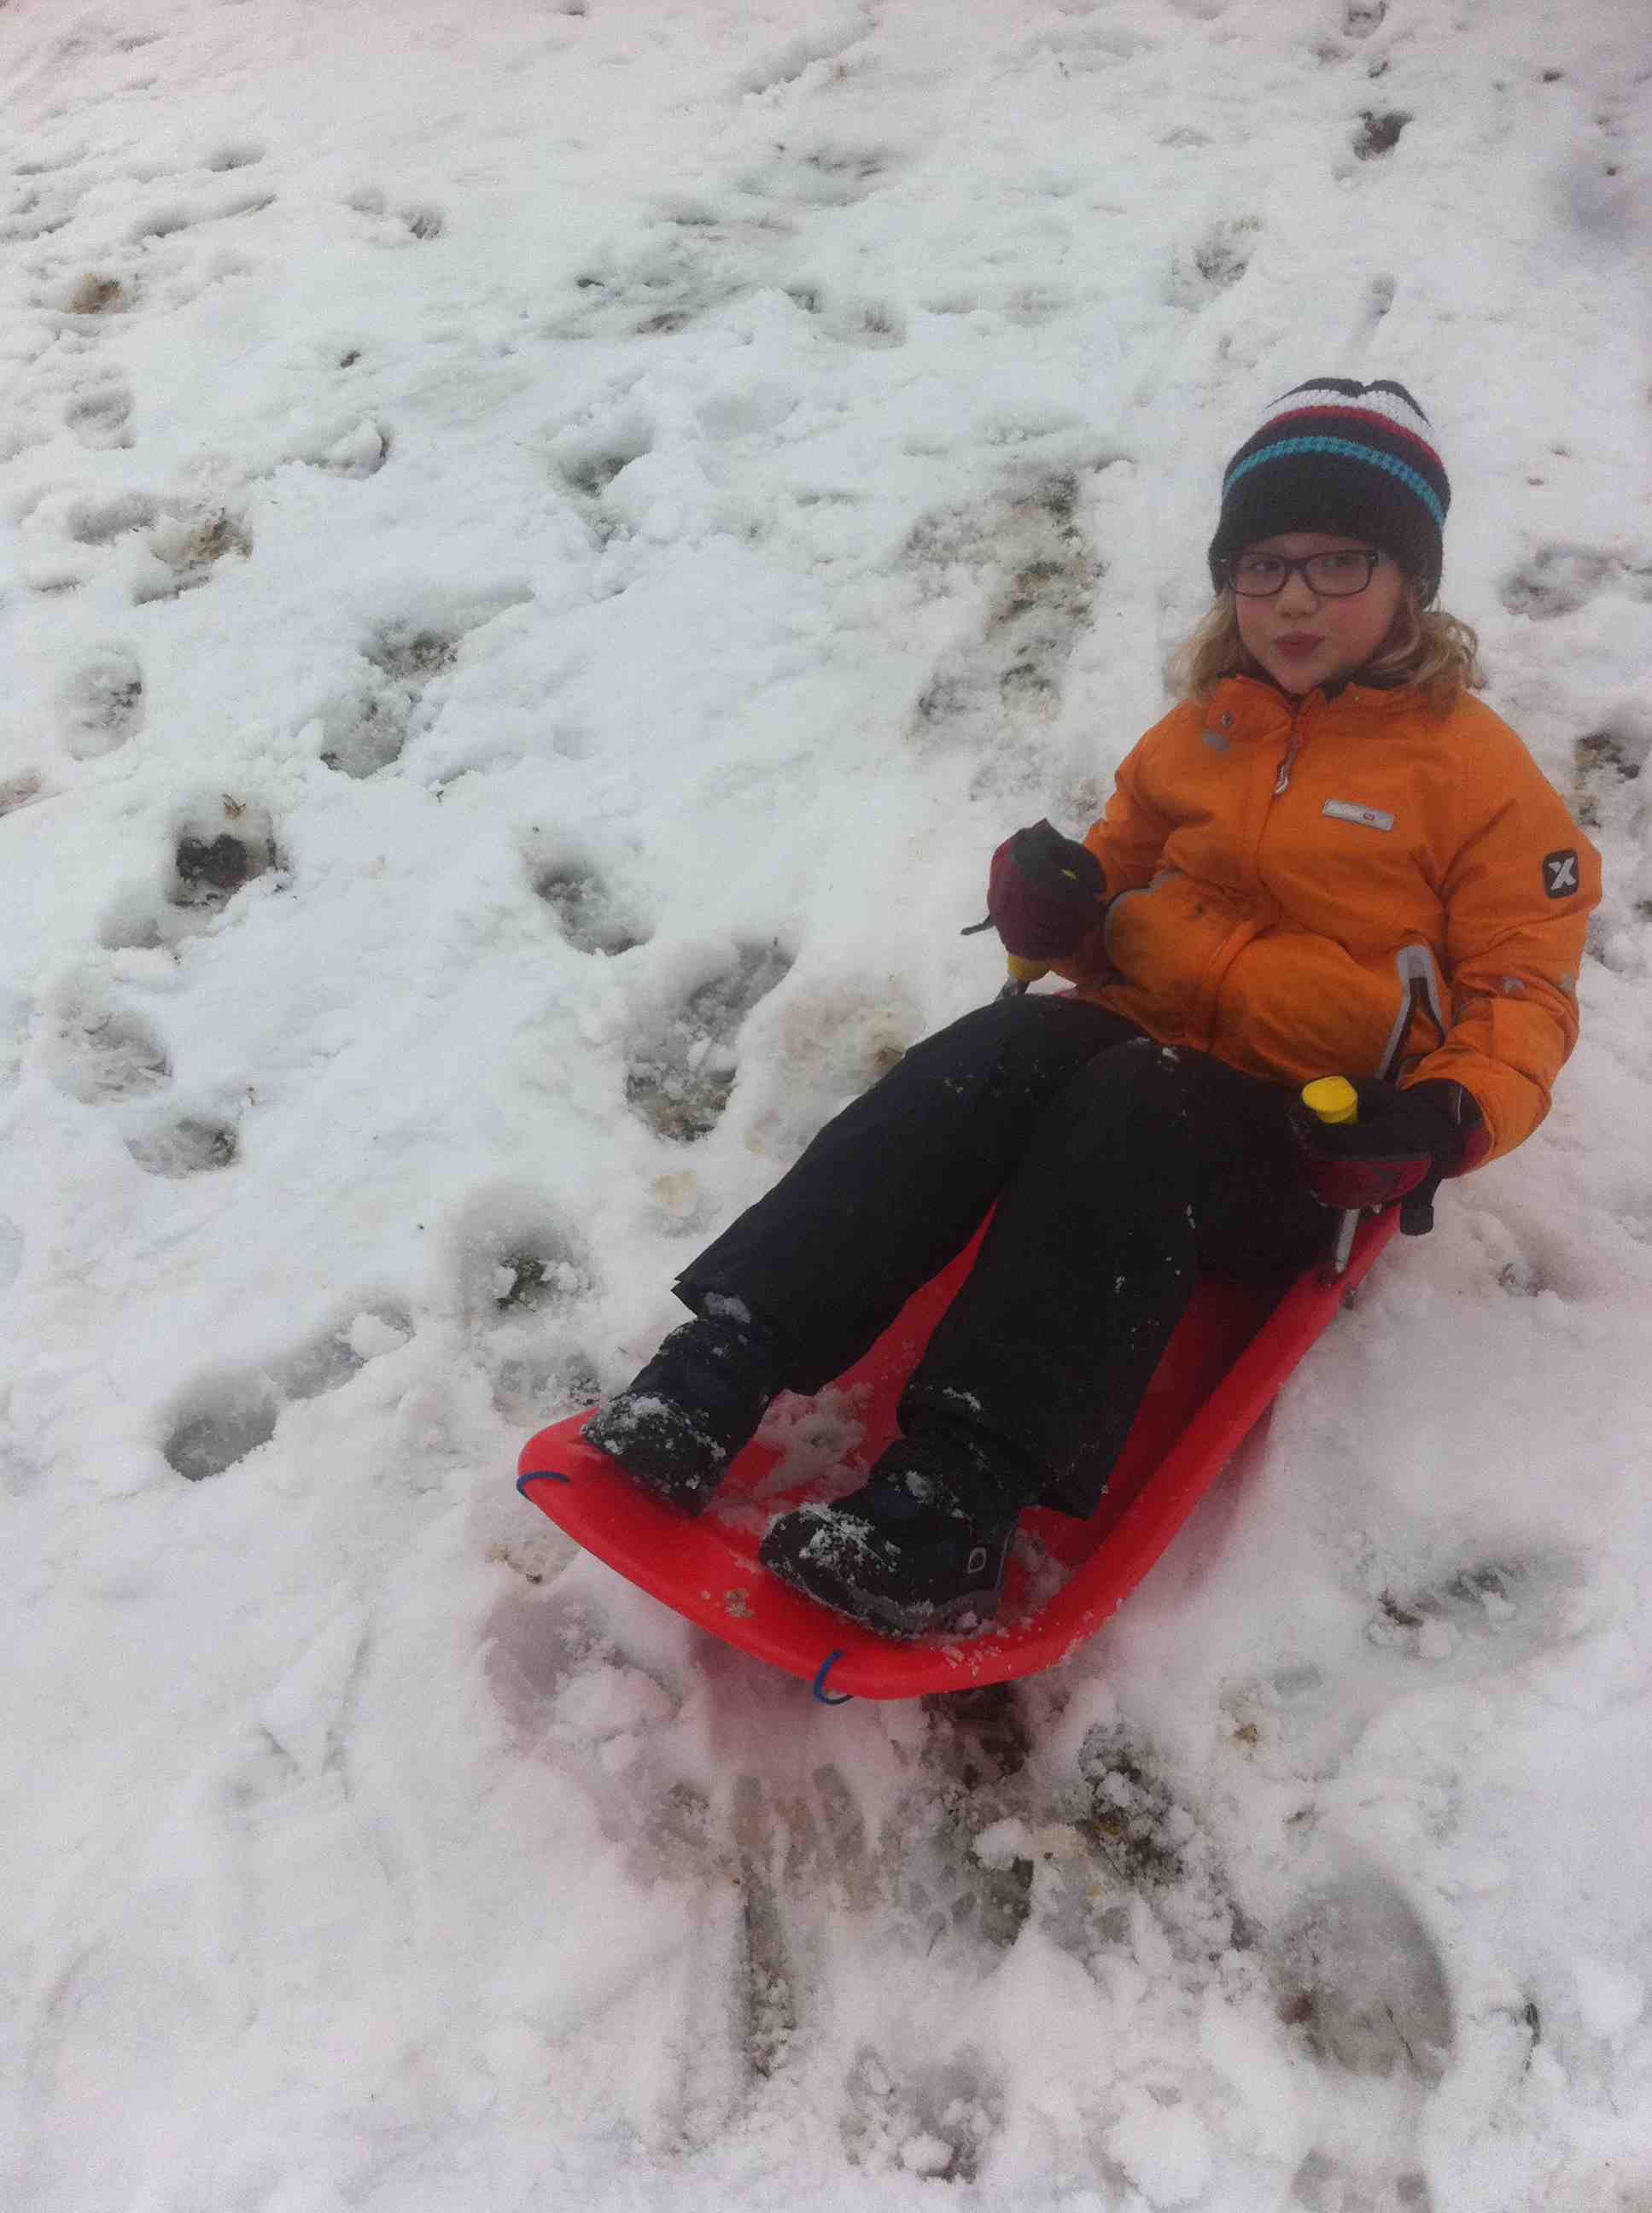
[(684, 1417)]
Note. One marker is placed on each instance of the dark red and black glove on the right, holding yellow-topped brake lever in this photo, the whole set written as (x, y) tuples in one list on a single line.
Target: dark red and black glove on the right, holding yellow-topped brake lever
[(1401, 1147)]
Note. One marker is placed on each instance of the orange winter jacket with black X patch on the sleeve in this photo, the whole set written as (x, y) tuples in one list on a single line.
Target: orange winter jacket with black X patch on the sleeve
[(1350, 886)]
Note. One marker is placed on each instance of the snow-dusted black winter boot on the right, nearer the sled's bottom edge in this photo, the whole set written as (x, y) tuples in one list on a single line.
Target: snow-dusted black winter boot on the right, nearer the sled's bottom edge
[(921, 1546)]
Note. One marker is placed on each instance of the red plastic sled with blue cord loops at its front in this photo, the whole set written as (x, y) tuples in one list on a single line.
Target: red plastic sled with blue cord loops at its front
[(1220, 1375)]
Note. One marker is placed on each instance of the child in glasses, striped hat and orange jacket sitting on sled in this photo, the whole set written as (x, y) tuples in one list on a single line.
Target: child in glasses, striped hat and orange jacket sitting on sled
[(1328, 860)]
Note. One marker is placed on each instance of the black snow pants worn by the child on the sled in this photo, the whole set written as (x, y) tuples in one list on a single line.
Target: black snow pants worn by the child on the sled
[(1120, 1170)]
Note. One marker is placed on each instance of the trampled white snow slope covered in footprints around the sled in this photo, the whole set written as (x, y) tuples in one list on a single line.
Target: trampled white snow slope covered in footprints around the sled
[(543, 548)]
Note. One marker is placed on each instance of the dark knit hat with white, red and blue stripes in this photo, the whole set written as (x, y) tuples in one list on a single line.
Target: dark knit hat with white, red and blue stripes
[(1337, 457)]
